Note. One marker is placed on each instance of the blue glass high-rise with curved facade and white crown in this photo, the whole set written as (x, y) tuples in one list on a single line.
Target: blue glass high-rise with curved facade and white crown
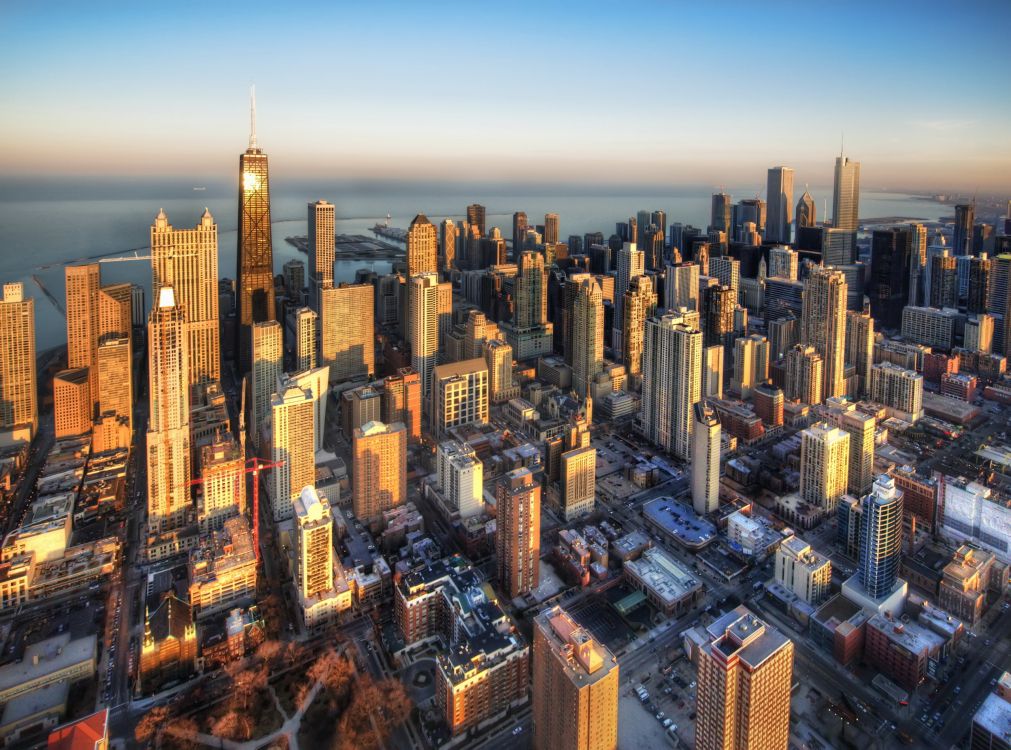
[(881, 538)]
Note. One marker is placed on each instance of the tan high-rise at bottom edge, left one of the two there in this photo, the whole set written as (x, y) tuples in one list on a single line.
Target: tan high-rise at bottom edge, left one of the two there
[(576, 687)]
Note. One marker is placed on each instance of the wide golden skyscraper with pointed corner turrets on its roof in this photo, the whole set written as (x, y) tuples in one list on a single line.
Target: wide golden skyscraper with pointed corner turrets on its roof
[(187, 260)]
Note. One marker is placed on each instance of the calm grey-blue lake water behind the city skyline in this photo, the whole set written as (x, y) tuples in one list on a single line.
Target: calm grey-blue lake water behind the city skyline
[(45, 225)]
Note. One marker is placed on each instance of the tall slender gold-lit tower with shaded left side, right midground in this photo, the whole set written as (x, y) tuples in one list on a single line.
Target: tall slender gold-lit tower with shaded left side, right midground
[(823, 325)]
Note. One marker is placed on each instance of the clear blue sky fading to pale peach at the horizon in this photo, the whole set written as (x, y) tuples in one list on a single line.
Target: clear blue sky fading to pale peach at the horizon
[(645, 92)]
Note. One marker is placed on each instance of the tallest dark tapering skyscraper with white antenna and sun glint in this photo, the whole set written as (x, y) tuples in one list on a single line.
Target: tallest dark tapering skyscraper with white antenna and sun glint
[(255, 255)]
